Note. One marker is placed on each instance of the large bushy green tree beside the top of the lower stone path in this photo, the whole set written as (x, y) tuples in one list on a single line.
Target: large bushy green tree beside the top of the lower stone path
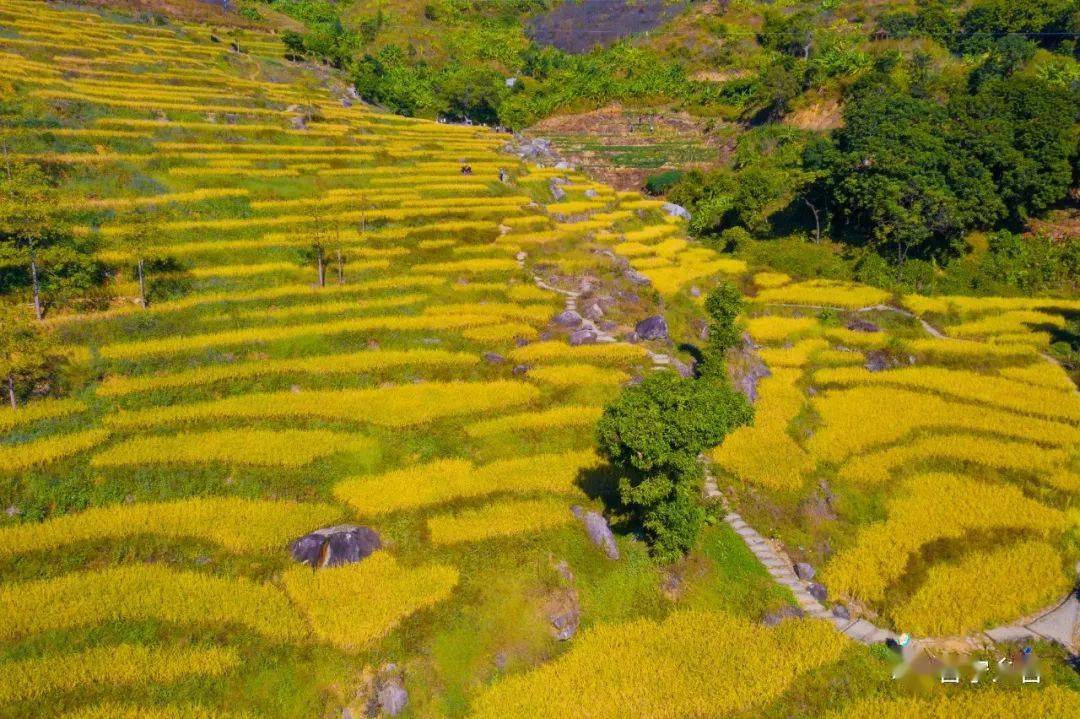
[(654, 435)]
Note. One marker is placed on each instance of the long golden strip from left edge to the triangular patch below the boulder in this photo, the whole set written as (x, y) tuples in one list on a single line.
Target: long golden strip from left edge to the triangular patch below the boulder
[(141, 593)]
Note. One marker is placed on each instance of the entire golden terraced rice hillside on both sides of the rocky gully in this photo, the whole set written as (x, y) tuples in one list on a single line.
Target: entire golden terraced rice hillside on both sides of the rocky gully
[(423, 391)]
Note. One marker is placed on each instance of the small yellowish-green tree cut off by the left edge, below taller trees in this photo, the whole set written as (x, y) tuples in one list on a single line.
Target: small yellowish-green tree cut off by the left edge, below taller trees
[(28, 354)]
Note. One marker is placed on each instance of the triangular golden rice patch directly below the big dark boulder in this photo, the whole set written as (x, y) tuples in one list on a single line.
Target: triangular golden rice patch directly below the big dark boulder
[(344, 609)]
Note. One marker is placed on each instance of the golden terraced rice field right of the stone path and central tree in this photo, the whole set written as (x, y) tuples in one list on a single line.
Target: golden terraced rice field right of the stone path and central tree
[(919, 462)]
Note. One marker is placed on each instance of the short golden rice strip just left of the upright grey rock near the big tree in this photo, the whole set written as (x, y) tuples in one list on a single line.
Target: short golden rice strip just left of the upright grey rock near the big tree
[(502, 520)]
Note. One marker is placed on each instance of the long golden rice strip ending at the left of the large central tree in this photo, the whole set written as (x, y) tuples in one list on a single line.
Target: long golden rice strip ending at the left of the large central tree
[(451, 480)]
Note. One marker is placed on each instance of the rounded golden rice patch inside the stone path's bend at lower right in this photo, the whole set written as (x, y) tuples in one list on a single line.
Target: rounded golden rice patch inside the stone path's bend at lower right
[(984, 589)]
